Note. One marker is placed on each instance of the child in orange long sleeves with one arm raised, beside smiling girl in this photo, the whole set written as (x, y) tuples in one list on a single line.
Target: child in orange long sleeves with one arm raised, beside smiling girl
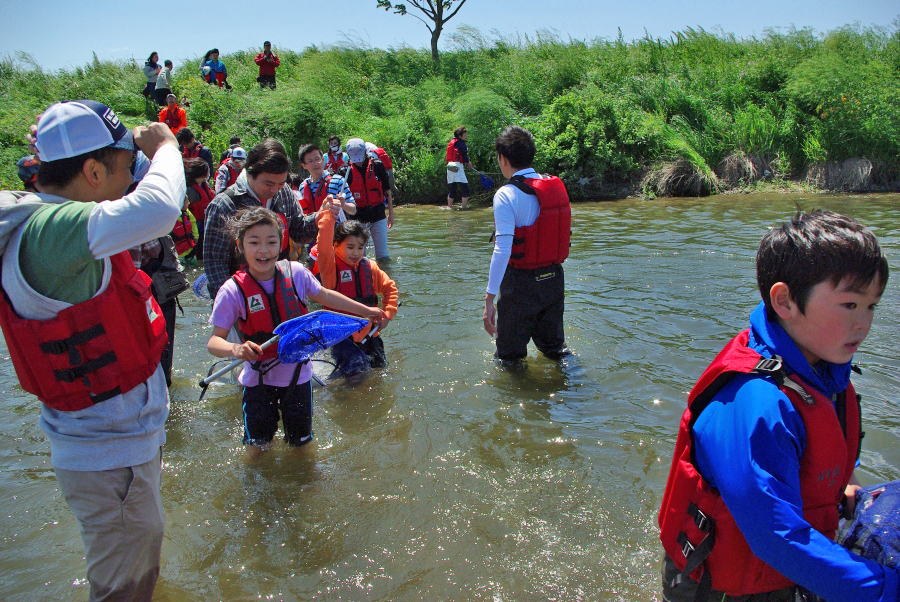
[(343, 268)]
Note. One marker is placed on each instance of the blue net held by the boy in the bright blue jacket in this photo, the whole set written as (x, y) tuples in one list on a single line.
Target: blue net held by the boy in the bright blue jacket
[(874, 531)]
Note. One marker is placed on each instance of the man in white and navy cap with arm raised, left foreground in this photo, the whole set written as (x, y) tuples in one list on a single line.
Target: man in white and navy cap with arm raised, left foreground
[(84, 333)]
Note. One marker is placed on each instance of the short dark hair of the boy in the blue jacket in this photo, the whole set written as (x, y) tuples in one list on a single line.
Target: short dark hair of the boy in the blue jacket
[(815, 247)]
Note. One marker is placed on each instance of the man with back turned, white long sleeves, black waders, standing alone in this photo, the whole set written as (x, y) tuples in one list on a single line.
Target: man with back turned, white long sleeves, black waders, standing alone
[(532, 222)]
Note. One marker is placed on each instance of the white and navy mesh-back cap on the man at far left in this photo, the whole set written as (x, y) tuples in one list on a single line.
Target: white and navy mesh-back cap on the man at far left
[(71, 128)]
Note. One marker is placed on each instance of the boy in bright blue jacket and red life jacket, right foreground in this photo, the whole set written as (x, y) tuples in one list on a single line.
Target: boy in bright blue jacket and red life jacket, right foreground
[(763, 464)]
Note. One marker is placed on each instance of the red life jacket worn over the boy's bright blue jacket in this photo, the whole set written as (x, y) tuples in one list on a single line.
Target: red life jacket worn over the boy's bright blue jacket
[(697, 530)]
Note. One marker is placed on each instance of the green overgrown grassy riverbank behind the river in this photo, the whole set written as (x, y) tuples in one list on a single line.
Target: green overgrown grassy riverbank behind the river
[(694, 113)]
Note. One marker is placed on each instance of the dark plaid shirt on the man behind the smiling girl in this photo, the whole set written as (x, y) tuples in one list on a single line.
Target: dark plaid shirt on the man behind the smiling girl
[(219, 248)]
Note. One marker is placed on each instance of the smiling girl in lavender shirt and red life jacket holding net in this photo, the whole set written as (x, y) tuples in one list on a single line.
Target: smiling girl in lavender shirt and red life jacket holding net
[(256, 299)]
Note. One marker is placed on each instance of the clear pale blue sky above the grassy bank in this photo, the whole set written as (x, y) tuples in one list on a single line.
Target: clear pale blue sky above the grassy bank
[(62, 34)]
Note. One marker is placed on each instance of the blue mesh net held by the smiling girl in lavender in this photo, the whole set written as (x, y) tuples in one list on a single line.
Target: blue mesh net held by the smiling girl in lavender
[(301, 337)]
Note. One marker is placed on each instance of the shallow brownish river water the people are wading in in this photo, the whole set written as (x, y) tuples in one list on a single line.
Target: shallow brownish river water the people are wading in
[(444, 477)]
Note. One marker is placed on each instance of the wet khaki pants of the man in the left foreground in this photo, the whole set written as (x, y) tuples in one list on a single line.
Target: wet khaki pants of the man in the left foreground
[(121, 518)]
